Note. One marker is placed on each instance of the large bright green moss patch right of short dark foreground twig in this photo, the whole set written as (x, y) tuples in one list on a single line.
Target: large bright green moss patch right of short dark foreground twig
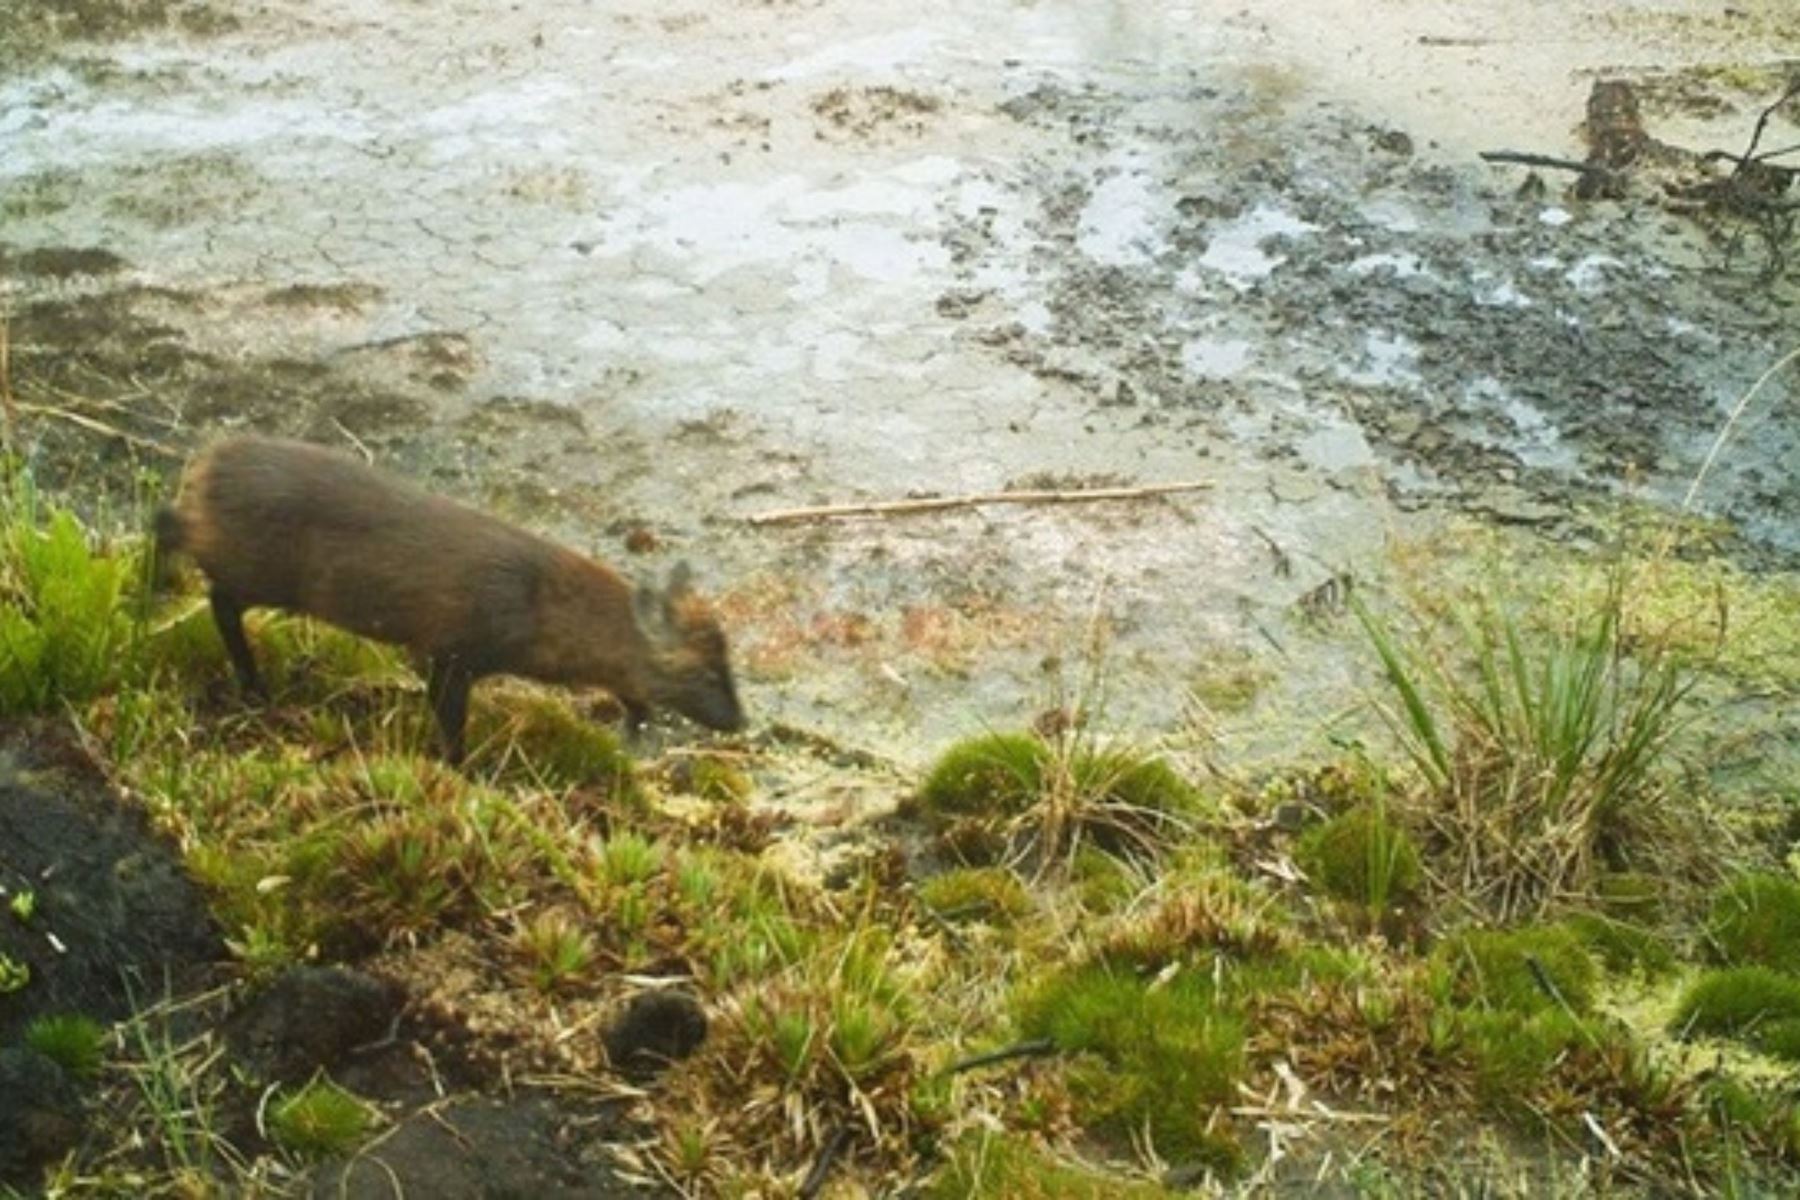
[(1153, 1061)]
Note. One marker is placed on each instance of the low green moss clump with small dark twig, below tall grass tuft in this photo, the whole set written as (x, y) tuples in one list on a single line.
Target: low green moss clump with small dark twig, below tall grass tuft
[(1518, 969)]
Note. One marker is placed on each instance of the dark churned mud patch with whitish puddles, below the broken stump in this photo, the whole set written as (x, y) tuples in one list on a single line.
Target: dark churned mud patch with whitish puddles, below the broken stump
[(1342, 307)]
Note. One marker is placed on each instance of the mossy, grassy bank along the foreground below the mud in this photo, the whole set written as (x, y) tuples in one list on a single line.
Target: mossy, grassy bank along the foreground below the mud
[(1516, 945)]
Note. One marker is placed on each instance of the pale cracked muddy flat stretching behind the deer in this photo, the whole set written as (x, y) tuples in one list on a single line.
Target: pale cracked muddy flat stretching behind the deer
[(643, 267)]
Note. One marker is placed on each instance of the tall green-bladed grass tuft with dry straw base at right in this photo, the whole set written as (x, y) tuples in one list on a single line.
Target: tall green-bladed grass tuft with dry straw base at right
[(1540, 755)]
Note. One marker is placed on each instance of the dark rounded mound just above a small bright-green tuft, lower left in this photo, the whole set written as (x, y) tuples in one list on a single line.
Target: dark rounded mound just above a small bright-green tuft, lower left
[(310, 1019)]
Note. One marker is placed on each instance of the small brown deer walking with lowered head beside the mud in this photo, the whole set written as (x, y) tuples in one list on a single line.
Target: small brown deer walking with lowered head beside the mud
[(301, 528)]
